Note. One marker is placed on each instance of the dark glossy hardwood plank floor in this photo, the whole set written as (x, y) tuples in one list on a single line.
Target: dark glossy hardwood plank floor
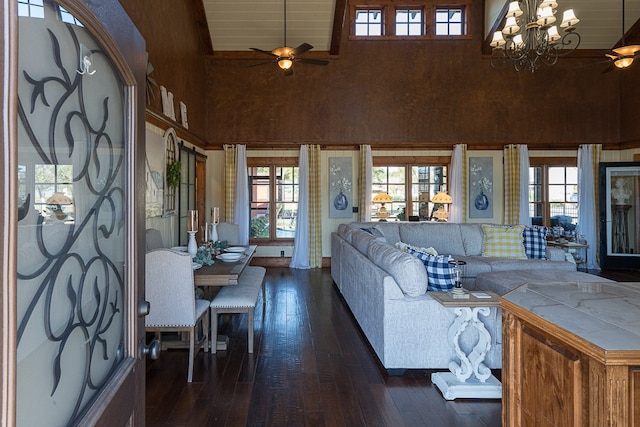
[(311, 366)]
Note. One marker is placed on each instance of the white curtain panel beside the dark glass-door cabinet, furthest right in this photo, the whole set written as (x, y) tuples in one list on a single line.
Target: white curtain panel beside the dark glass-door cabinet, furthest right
[(587, 204)]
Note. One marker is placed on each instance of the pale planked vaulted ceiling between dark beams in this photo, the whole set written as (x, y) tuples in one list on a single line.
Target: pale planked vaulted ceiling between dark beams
[(238, 25)]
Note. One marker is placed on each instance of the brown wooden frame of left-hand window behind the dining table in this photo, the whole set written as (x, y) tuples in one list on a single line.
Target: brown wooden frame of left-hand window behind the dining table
[(272, 163)]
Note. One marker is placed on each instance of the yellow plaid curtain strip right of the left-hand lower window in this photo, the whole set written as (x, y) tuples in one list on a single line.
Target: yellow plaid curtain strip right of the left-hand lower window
[(315, 211)]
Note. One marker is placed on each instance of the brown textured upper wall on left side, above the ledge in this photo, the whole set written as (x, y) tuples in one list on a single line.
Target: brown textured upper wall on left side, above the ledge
[(177, 49)]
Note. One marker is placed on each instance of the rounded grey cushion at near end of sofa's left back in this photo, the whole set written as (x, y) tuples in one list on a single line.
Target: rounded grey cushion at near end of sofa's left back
[(408, 272)]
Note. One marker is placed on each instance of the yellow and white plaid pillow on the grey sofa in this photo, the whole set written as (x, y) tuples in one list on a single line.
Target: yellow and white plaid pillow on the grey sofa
[(503, 241)]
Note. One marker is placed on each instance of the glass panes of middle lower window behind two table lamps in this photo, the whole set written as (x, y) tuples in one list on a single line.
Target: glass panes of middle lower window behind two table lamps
[(410, 186)]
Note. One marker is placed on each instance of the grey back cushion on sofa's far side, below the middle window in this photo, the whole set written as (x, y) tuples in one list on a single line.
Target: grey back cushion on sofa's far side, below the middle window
[(445, 238)]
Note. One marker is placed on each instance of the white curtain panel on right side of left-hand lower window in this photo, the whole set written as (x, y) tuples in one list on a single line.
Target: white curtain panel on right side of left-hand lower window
[(300, 258)]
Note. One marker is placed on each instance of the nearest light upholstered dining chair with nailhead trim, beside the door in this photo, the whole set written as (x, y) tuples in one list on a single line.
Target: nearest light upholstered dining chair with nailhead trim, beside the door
[(174, 308)]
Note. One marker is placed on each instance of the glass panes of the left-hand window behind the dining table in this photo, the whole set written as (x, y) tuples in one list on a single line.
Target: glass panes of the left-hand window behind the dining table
[(273, 201)]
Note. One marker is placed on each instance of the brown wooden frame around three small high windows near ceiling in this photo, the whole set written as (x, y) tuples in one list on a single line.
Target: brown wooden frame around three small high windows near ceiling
[(429, 7)]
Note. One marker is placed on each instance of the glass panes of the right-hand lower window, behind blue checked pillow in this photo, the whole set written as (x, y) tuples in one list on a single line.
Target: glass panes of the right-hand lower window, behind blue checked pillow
[(553, 195)]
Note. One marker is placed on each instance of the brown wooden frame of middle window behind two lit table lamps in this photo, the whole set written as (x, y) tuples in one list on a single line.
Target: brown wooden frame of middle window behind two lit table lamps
[(408, 163)]
